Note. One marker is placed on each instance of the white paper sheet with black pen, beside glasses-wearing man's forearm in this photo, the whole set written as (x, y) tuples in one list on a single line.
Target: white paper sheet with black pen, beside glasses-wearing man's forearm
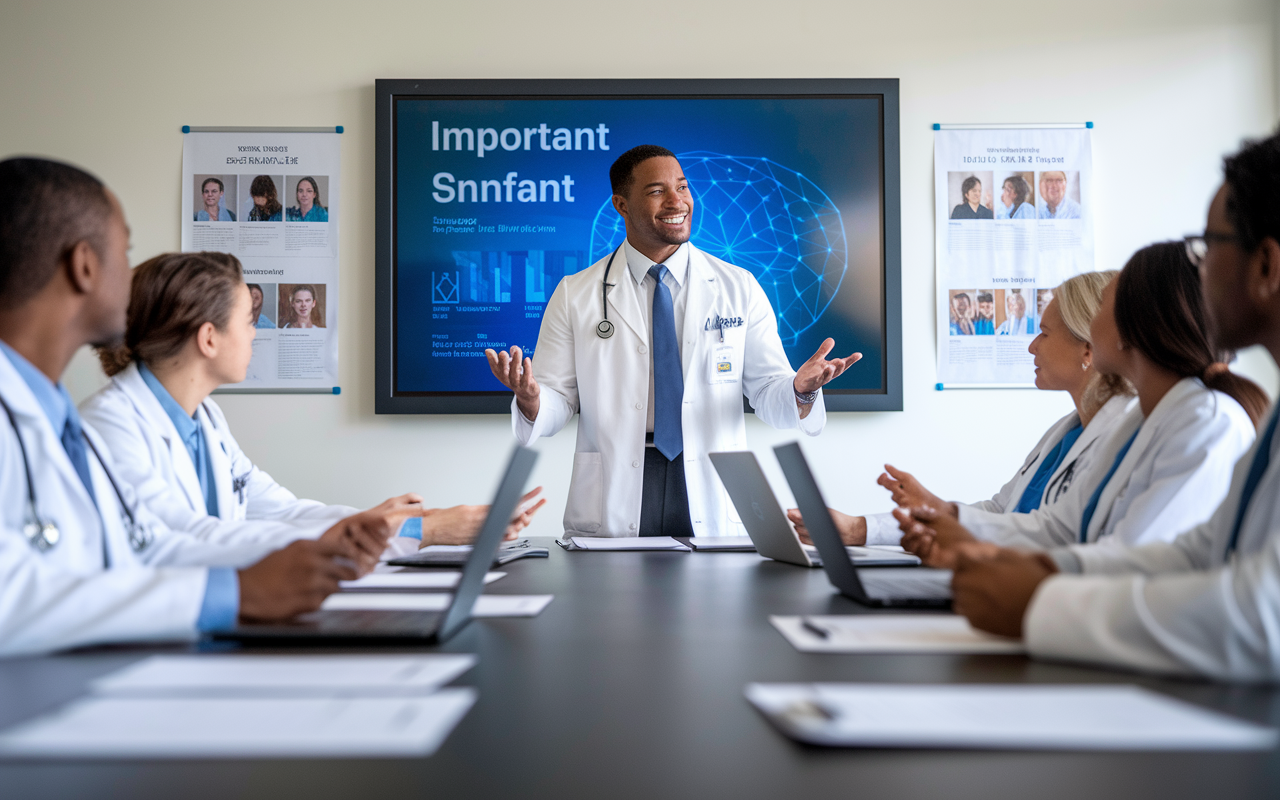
[(892, 634)]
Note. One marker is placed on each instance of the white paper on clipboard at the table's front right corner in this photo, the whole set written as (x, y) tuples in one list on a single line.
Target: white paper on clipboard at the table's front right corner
[(999, 717)]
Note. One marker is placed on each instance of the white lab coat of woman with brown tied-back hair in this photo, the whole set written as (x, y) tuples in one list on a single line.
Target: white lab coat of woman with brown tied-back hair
[(150, 456)]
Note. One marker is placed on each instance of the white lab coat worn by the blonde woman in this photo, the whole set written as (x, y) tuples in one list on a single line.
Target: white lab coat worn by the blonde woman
[(883, 528)]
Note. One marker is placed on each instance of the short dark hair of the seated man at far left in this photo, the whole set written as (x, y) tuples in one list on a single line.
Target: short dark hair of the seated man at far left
[(47, 208)]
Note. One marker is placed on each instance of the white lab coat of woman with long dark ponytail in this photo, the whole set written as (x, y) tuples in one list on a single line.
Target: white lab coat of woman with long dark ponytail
[(1176, 474)]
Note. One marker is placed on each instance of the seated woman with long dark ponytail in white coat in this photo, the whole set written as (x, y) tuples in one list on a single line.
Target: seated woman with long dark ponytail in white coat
[(1169, 463)]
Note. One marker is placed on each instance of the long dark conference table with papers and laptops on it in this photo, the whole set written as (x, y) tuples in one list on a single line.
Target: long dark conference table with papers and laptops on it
[(630, 685)]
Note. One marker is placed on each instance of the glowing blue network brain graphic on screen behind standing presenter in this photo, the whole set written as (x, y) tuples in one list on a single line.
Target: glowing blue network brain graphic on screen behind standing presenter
[(770, 221)]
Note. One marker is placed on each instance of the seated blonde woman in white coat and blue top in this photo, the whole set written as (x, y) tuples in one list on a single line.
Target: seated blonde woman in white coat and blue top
[(1066, 454)]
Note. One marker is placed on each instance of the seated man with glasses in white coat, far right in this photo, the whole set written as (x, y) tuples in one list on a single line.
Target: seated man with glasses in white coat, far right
[(1206, 604)]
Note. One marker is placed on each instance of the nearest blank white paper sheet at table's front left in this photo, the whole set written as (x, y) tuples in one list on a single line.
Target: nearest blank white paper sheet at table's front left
[(243, 728)]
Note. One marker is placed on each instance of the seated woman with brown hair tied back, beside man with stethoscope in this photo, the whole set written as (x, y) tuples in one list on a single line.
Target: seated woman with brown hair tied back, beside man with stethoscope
[(191, 330)]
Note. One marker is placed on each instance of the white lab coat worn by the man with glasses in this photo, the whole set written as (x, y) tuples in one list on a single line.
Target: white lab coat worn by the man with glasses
[(1176, 607)]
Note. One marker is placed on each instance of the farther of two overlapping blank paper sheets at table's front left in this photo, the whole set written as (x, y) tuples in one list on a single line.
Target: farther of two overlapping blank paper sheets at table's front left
[(284, 674)]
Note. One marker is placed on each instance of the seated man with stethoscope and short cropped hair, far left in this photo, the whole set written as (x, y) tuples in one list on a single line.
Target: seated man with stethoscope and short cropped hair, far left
[(83, 561)]
